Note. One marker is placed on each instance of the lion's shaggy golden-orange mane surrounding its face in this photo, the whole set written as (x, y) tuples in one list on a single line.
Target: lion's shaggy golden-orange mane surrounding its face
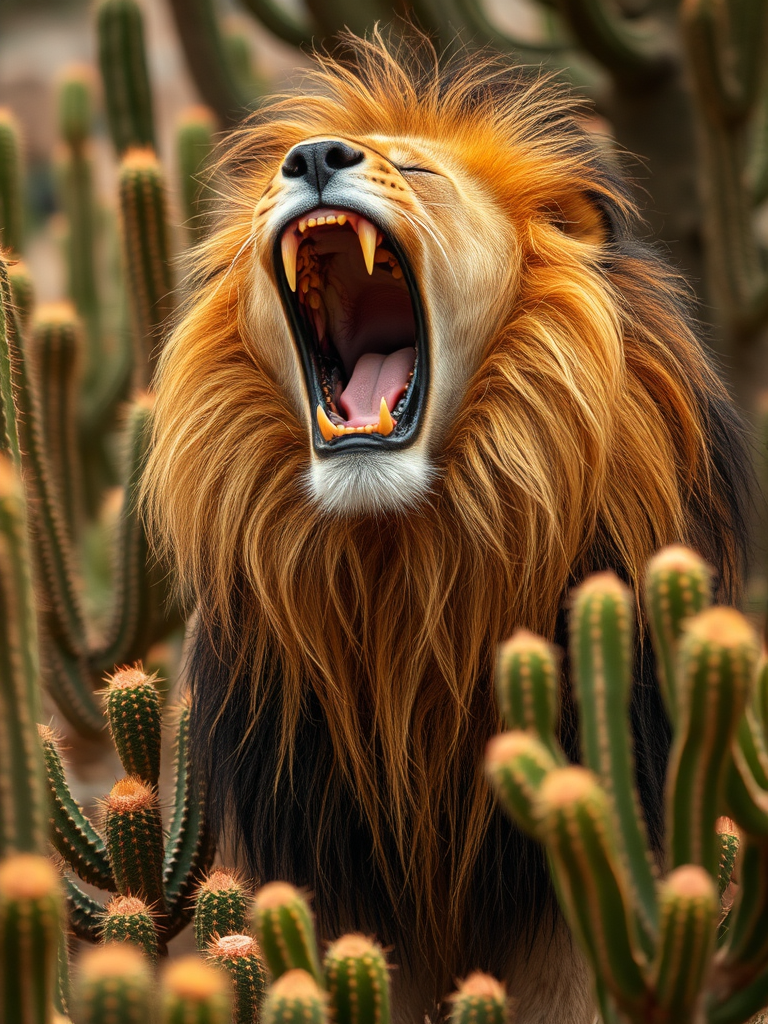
[(584, 440)]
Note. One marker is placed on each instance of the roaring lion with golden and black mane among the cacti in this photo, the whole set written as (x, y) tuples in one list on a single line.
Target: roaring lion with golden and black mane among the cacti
[(425, 380)]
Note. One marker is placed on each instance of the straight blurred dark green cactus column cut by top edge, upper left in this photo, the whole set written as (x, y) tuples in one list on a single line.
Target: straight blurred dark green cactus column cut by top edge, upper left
[(123, 64)]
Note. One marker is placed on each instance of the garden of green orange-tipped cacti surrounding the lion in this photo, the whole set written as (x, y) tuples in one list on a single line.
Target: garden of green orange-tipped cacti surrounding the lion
[(124, 911)]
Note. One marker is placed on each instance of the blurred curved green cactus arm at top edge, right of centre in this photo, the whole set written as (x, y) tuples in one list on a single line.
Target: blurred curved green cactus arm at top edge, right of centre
[(635, 52)]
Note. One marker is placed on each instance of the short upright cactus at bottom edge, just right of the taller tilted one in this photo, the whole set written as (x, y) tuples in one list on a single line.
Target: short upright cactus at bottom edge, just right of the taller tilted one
[(357, 982)]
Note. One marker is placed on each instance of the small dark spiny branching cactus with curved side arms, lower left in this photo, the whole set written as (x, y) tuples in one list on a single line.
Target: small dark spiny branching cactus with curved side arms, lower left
[(131, 856)]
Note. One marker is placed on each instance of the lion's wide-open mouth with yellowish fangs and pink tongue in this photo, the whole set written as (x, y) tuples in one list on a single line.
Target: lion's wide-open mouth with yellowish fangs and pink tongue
[(358, 321)]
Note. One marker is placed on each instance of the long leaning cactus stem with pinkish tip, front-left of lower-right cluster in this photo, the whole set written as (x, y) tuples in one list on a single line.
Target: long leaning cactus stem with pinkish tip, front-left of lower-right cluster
[(593, 889)]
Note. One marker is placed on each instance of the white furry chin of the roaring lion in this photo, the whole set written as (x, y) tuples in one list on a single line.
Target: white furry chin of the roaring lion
[(371, 484)]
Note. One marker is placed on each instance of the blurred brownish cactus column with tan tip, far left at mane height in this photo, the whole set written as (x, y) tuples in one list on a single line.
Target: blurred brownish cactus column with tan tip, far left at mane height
[(58, 355)]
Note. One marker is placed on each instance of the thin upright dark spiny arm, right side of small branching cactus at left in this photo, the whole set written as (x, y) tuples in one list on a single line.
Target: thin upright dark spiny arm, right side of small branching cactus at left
[(190, 848)]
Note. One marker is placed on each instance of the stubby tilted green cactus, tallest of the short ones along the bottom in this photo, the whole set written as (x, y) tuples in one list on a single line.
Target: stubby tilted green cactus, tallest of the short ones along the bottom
[(284, 925)]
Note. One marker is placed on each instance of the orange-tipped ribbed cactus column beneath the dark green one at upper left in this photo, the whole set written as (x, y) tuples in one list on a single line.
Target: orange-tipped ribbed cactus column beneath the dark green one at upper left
[(144, 222)]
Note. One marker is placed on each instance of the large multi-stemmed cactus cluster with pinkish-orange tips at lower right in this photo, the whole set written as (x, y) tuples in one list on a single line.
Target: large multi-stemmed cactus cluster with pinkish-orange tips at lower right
[(655, 951)]
